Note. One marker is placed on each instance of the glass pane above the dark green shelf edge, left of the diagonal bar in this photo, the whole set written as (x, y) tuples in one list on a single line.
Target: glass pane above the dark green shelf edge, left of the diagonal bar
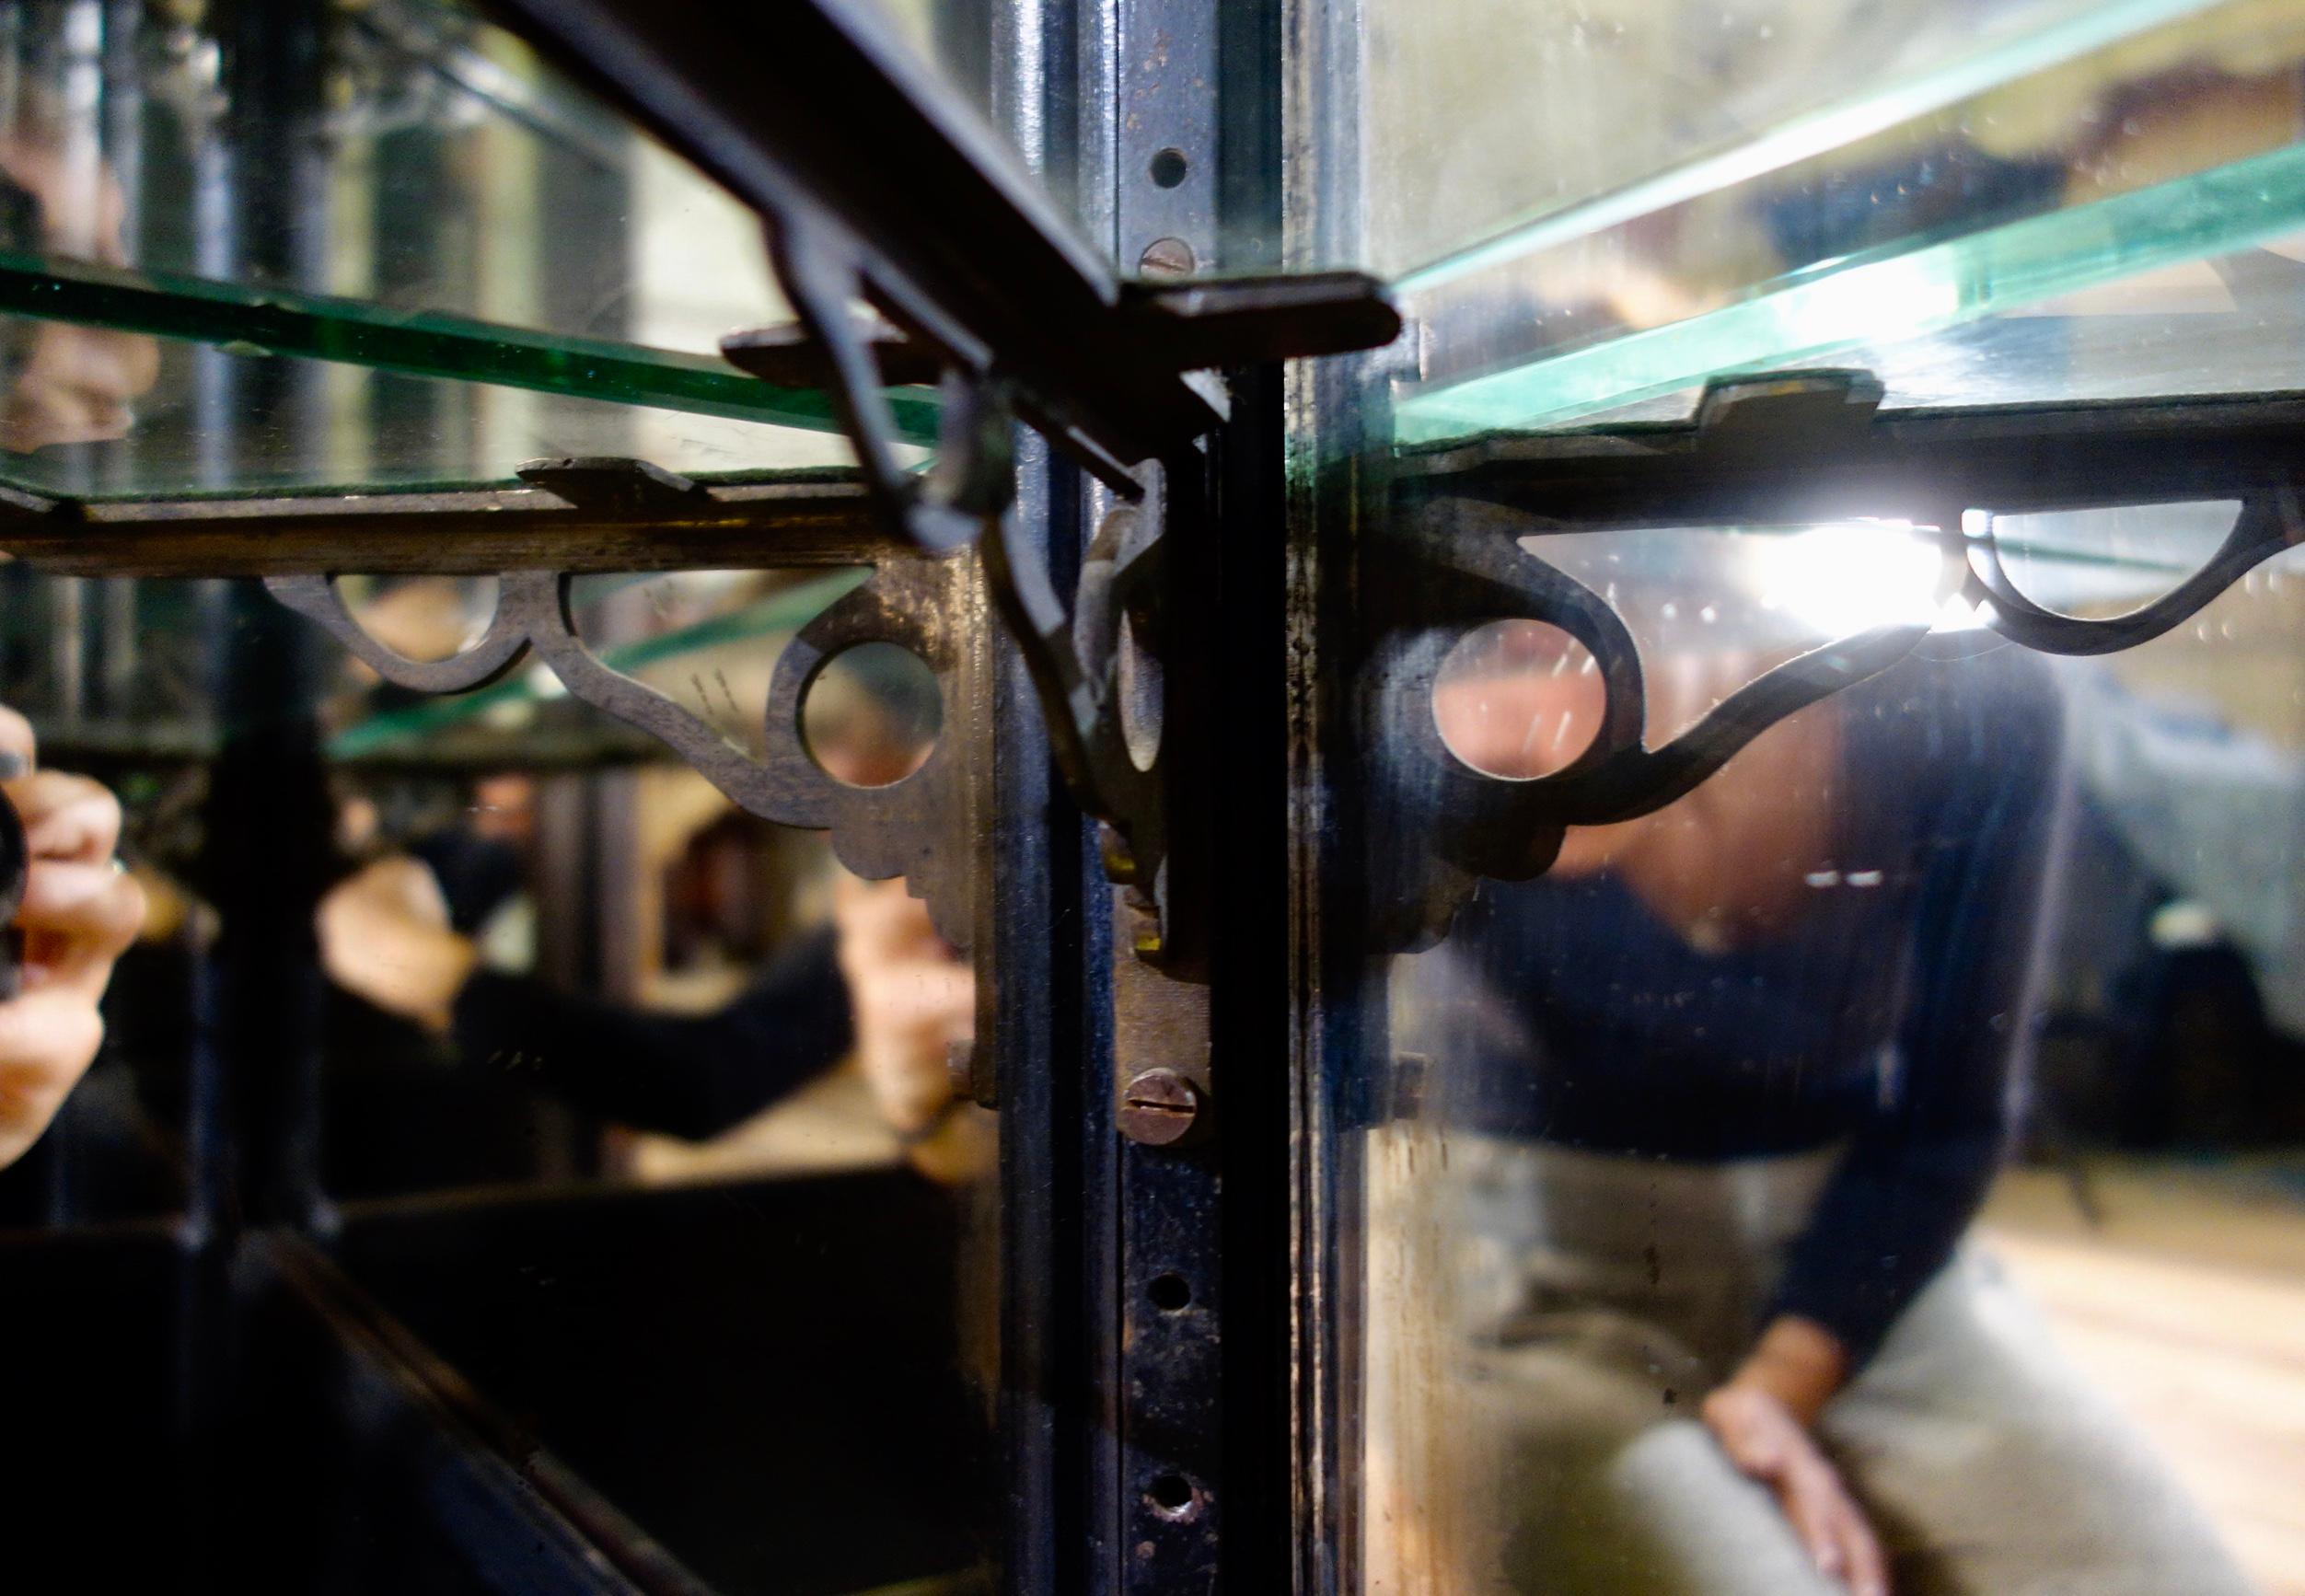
[(425, 158)]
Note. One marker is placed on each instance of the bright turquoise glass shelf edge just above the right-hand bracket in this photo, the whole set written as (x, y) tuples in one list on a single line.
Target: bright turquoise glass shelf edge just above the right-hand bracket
[(1880, 299)]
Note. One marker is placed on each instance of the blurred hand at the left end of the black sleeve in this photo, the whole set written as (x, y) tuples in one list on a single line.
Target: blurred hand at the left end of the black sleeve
[(386, 938)]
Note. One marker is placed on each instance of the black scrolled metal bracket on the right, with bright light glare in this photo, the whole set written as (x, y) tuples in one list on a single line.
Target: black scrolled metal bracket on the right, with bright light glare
[(1801, 449)]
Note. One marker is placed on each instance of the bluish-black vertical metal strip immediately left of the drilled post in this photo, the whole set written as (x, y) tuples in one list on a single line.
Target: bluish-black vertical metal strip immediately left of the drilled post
[(1041, 958)]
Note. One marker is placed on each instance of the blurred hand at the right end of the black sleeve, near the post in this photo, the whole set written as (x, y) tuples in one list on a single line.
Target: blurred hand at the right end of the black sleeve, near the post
[(912, 1000)]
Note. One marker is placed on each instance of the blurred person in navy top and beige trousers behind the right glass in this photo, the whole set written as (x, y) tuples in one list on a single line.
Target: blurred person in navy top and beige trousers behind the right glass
[(1718, 1101)]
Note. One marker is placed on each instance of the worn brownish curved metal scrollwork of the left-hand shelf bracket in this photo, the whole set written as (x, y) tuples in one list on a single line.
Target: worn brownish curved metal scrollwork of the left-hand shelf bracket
[(912, 829)]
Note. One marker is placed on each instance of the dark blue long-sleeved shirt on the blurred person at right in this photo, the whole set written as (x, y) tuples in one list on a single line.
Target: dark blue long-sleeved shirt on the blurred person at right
[(1887, 1018)]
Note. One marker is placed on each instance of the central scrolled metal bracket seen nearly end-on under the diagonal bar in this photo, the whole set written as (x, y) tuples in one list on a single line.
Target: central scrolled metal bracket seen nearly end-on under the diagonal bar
[(1096, 663)]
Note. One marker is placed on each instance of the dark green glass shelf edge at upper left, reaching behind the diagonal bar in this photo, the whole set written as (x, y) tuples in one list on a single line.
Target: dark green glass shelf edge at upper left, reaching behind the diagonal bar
[(273, 322)]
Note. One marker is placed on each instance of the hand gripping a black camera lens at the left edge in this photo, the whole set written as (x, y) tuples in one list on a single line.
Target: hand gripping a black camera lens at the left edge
[(77, 914)]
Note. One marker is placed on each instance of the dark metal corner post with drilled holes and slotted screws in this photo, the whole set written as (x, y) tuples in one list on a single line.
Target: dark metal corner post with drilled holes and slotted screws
[(1204, 1277)]
